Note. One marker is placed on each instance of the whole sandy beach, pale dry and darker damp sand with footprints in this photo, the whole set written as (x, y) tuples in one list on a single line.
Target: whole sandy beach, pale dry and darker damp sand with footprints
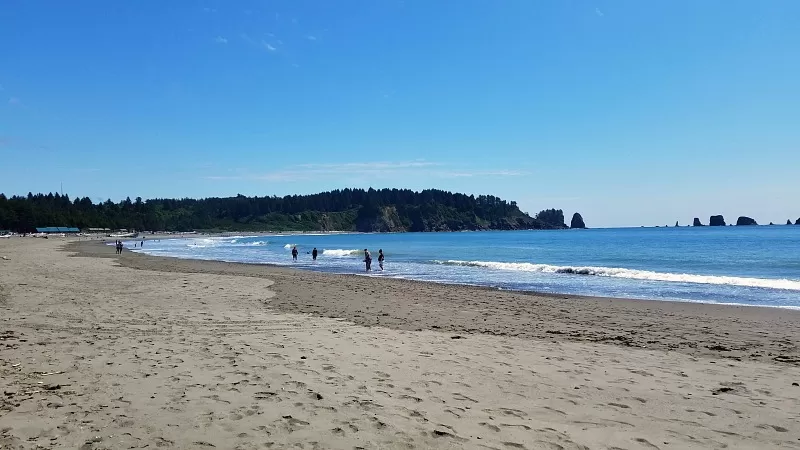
[(104, 352)]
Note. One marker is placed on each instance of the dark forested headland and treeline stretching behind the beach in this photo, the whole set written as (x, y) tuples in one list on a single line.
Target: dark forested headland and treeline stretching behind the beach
[(339, 210)]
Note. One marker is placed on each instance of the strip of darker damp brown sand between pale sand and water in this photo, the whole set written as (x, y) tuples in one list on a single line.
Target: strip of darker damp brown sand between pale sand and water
[(526, 314)]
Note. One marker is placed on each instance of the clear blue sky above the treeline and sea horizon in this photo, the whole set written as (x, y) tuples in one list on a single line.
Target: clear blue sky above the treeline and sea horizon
[(631, 112)]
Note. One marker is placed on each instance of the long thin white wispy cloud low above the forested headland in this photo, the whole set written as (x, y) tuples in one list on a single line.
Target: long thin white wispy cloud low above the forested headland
[(348, 171)]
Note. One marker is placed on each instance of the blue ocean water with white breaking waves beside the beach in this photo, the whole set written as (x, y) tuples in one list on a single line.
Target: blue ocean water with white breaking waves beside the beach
[(739, 265)]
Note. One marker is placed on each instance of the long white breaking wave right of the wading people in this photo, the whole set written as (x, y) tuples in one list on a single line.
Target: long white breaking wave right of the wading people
[(785, 284)]
